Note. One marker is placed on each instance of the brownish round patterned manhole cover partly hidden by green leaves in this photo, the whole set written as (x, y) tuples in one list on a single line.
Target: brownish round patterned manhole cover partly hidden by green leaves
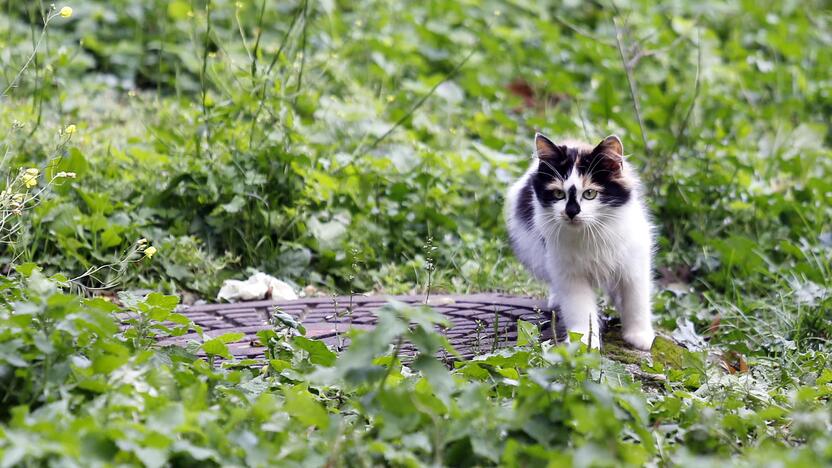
[(480, 322)]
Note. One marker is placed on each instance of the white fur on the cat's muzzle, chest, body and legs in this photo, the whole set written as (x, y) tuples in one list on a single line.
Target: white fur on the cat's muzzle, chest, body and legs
[(610, 248)]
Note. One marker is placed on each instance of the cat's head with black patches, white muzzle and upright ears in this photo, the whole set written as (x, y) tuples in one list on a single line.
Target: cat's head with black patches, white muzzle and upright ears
[(579, 184)]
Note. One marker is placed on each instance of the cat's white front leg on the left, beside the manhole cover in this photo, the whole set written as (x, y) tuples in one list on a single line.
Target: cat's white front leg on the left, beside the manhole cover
[(578, 309)]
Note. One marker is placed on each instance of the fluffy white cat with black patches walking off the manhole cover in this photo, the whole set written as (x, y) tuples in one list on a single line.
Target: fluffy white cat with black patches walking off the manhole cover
[(577, 220)]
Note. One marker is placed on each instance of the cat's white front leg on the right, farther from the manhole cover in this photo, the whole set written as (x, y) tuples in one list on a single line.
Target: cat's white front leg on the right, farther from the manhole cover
[(634, 305)]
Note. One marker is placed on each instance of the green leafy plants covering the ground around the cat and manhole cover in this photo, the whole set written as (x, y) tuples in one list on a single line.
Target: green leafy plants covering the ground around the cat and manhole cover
[(364, 146)]
